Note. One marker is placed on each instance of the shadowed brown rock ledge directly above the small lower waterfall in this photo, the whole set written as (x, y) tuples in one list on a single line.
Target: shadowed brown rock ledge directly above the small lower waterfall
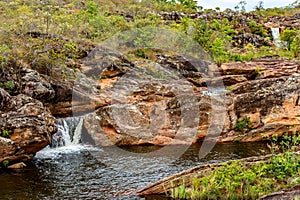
[(75, 97)]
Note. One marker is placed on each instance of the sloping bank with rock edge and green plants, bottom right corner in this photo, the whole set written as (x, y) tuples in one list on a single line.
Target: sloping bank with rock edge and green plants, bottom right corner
[(264, 177)]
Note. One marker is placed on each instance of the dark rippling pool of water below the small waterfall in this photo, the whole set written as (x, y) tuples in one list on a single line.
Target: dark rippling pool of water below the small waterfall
[(78, 172)]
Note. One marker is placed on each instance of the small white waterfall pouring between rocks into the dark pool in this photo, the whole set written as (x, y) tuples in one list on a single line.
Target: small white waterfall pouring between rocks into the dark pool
[(69, 132)]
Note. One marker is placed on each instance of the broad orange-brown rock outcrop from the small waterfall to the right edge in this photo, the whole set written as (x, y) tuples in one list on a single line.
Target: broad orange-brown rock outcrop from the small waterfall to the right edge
[(189, 105)]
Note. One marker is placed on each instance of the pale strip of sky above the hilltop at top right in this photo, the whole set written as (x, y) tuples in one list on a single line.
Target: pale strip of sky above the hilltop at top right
[(223, 4)]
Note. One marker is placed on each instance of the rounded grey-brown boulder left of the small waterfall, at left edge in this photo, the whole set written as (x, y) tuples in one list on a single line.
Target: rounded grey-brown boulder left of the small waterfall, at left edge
[(29, 126)]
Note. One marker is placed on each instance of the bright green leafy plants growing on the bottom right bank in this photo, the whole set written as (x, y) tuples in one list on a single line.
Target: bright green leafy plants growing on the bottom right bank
[(235, 180)]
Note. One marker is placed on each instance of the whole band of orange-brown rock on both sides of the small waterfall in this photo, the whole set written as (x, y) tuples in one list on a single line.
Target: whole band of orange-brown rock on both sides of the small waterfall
[(170, 100)]
